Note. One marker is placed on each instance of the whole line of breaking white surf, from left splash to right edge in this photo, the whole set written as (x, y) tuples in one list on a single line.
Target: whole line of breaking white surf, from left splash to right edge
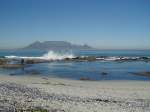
[(51, 55)]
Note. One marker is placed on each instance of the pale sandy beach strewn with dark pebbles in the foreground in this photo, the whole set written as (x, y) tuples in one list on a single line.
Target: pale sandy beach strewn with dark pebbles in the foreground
[(43, 94)]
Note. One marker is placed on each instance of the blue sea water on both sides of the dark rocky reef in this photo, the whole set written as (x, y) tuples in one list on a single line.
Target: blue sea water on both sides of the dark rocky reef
[(76, 69)]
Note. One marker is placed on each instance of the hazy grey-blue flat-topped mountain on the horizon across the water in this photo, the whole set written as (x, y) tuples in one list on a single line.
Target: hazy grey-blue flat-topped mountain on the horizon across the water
[(56, 45)]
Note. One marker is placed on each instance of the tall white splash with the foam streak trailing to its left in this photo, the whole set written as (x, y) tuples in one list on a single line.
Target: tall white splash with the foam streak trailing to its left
[(51, 55)]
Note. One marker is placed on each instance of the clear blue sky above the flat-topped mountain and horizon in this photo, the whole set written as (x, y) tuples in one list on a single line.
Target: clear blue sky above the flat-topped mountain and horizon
[(105, 24)]
